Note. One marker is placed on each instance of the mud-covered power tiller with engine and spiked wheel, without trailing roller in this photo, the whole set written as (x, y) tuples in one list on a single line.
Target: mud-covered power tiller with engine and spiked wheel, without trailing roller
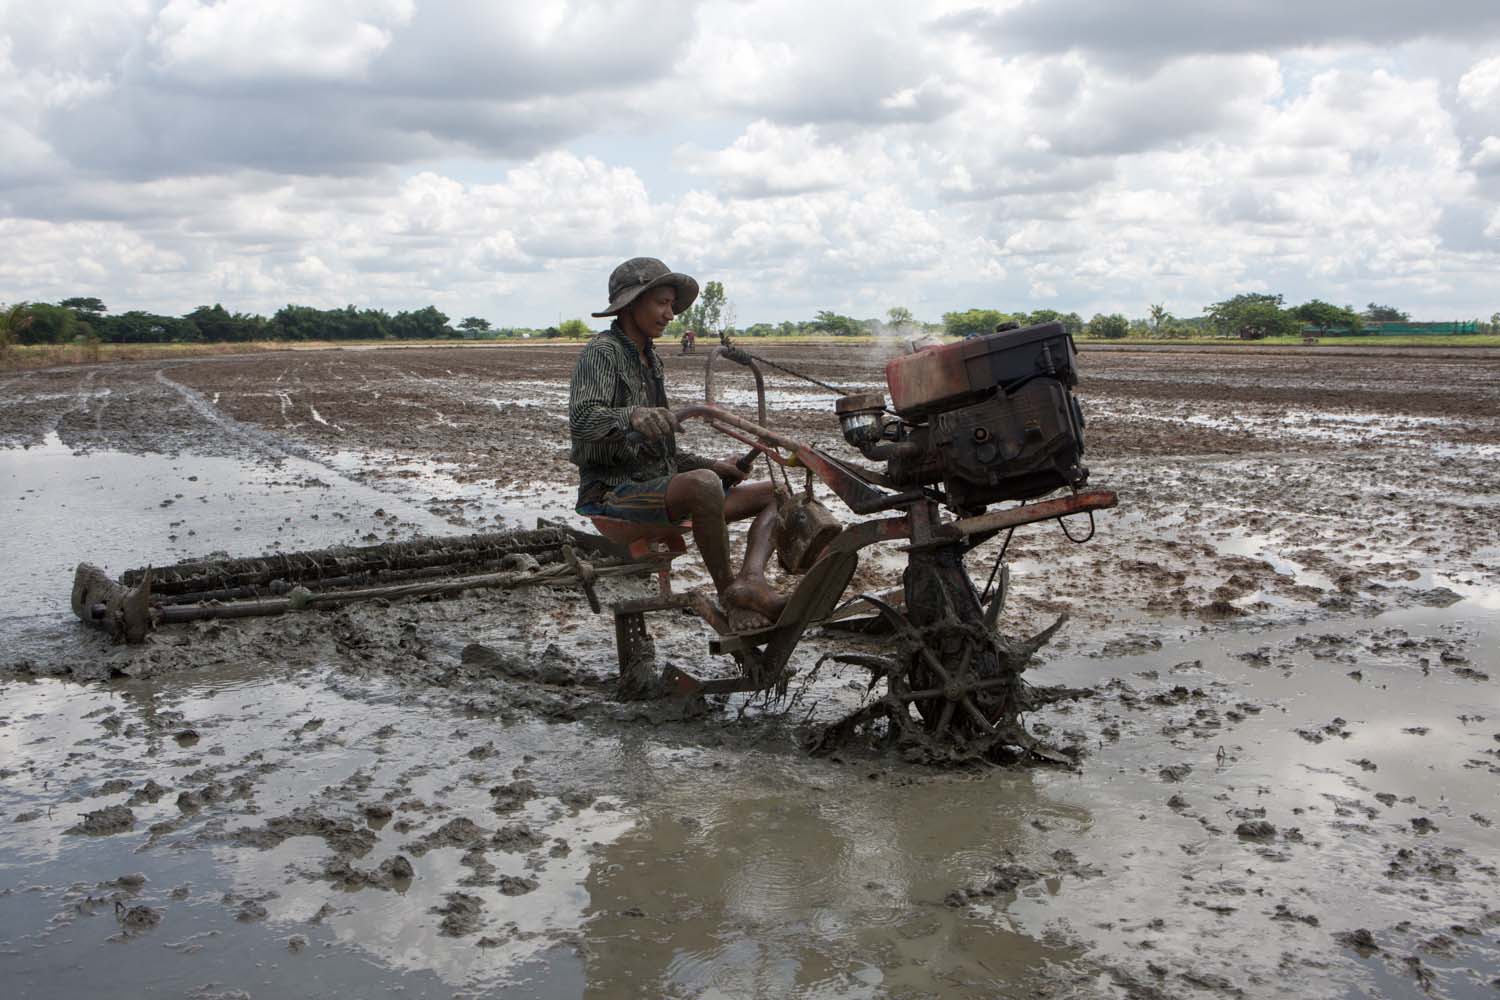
[(989, 421)]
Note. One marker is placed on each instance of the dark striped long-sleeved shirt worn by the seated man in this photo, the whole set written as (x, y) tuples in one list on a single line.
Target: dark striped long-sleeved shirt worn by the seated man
[(610, 380)]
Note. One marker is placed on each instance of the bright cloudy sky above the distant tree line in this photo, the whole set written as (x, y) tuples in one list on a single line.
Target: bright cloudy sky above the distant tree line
[(499, 158)]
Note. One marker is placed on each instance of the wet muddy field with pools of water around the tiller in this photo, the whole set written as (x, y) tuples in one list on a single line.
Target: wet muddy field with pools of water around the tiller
[(1291, 741)]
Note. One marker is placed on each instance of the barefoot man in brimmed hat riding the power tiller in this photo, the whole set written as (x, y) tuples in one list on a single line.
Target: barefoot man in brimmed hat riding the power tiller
[(626, 452)]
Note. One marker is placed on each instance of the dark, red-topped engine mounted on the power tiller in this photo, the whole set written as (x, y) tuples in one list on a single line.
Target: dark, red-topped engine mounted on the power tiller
[(991, 419)]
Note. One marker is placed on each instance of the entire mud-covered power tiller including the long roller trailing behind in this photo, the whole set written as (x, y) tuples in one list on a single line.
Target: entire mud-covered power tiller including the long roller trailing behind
[(967, 427)]
